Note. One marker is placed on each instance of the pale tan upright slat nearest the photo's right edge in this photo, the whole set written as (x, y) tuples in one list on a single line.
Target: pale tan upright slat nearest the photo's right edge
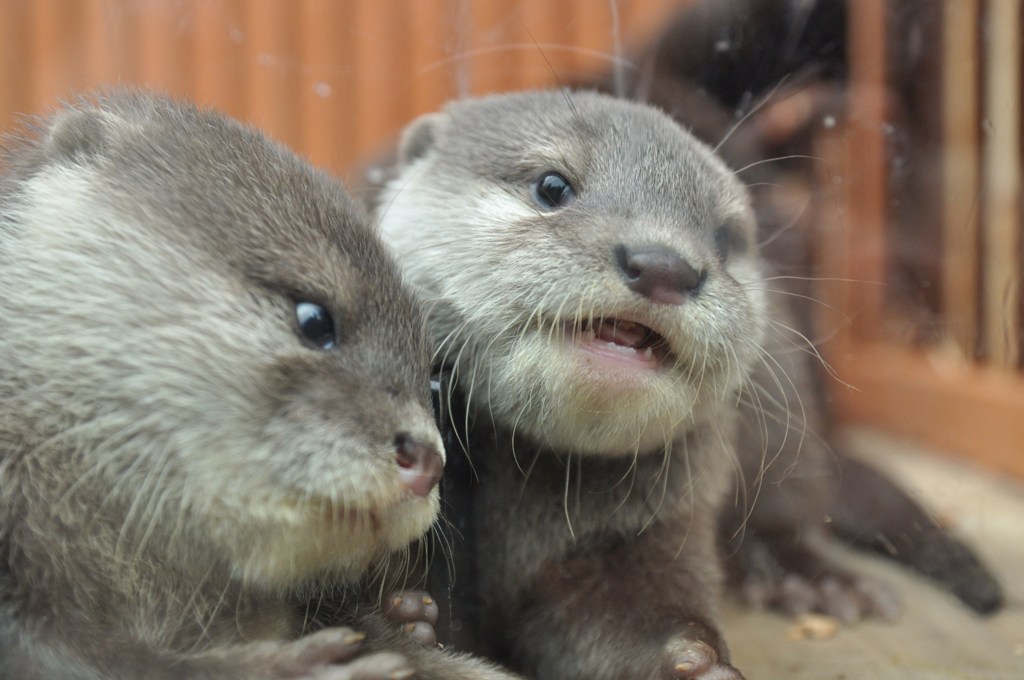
[(1003, 184)]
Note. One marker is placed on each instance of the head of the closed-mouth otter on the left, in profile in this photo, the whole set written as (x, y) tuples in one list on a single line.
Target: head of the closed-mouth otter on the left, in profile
[(205, 344)]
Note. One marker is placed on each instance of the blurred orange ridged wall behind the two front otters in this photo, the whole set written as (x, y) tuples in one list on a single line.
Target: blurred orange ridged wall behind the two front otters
[(334, 79)]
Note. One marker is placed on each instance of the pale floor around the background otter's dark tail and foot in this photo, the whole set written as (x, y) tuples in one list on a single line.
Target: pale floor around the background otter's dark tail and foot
[(936, 636)]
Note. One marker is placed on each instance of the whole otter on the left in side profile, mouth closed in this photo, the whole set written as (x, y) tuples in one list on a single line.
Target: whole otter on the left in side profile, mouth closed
[(215, 409)]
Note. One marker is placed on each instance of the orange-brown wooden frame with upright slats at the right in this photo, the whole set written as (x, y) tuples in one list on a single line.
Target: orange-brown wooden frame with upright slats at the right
[(924, 277)]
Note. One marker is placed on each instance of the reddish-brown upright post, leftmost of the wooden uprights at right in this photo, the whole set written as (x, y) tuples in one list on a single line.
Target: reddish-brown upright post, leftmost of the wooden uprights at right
[(866, 178)]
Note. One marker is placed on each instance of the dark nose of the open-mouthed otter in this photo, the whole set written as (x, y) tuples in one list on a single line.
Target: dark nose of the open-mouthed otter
[(659, 274)]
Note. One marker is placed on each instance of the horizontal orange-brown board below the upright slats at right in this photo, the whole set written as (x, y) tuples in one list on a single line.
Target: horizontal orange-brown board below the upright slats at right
[(955, 406)]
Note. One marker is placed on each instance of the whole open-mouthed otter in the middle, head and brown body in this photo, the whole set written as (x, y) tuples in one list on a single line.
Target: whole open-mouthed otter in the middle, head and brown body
[(594, 288)]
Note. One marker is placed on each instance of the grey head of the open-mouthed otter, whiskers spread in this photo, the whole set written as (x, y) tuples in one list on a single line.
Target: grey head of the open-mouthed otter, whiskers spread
[(590, 268)]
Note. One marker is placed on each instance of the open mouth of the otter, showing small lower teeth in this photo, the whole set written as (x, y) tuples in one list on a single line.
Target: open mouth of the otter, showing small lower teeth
[(624, 343)]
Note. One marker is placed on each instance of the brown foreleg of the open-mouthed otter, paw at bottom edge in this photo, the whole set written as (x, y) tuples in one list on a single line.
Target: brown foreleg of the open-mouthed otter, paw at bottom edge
[(645, 610)]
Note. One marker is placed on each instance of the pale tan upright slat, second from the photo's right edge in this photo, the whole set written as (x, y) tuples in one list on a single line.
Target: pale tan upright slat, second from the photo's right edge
[(961, 172)]
